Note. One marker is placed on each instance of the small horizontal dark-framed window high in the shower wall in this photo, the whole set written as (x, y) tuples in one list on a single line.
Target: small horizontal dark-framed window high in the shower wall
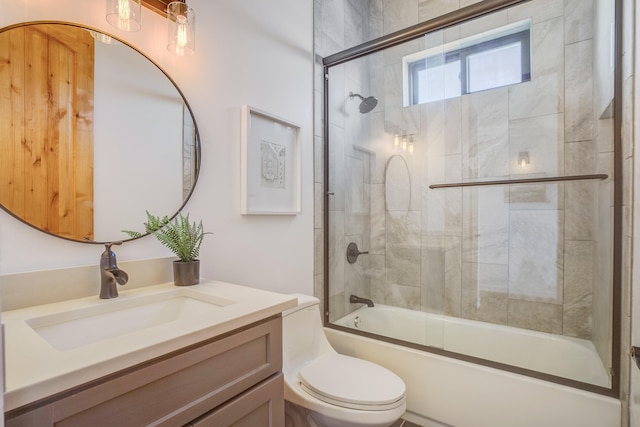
[(489, 60)]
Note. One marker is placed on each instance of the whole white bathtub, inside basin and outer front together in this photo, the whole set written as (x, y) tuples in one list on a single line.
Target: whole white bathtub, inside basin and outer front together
[(443, 391)]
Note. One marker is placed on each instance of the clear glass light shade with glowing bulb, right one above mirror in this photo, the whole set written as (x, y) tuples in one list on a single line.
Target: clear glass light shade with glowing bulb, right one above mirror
[(181, 25)]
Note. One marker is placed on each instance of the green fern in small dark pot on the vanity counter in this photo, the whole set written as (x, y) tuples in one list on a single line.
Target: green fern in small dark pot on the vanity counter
[(183, 238)]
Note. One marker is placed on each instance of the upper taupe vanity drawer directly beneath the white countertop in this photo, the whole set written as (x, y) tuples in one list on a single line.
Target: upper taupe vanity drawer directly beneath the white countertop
[(175, 389)]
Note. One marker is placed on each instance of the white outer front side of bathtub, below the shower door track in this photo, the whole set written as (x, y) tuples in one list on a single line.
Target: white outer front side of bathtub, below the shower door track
[(460, 394)]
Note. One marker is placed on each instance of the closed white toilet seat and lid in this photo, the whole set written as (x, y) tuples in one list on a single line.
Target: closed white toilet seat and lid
[(352, 383)]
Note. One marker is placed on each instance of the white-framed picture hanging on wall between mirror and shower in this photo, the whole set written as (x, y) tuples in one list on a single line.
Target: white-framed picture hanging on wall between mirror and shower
[(270, 164)]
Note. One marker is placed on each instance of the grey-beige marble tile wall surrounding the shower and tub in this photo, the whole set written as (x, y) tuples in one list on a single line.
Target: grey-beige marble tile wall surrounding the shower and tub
[(534, 256)]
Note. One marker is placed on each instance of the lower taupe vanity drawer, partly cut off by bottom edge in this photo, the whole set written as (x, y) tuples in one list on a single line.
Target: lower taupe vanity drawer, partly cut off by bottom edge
[(262, 406)]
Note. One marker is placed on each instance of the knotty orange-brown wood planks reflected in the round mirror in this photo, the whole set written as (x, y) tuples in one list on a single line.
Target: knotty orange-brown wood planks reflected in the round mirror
[(47, 132)]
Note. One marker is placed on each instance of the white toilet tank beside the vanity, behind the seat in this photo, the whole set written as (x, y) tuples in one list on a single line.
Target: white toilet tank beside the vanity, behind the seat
[(303, 337)]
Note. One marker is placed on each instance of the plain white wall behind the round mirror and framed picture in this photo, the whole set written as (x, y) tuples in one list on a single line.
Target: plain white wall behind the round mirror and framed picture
[(249, 52)]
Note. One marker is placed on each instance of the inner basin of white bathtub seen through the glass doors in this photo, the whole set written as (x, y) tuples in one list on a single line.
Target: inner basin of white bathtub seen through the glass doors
[(566, 357)]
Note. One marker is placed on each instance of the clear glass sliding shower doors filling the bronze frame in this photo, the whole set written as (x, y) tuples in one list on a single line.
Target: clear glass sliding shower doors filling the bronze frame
[(517, 274)]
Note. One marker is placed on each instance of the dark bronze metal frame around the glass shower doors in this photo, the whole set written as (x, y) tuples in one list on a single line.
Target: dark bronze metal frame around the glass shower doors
[(416, 31)]
